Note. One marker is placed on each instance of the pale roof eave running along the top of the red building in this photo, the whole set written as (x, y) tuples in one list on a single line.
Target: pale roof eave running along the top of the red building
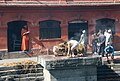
[(55, 4)]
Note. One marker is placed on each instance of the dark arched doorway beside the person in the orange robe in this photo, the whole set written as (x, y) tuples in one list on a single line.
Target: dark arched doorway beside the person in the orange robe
[(14, 35)]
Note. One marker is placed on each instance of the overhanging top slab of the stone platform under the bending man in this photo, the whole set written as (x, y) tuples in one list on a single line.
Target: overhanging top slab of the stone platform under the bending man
[(51, 62)]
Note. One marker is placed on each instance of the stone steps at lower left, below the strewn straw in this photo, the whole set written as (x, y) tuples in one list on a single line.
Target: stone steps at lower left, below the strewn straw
[(21, 74)]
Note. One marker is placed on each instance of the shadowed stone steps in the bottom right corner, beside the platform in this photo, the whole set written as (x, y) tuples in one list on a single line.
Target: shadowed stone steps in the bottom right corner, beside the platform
[(109, 72)]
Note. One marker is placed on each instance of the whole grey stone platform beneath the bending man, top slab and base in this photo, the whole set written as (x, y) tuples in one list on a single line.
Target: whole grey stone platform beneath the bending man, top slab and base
[(70, 69)]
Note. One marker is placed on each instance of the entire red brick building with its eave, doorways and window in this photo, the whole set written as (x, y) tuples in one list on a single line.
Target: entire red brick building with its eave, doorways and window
[(55, 21)]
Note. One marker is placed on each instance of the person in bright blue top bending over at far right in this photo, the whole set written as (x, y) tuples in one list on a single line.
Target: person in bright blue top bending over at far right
[(109, 50)]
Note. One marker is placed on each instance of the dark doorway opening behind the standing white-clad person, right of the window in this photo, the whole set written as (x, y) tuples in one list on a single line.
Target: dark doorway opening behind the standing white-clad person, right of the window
[(75, 28)]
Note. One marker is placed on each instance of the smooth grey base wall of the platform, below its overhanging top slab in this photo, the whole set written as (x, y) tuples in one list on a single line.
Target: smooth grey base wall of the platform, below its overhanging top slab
[(83, 73)]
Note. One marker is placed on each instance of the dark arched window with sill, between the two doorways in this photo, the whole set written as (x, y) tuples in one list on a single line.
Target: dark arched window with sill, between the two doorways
[(50, 29)]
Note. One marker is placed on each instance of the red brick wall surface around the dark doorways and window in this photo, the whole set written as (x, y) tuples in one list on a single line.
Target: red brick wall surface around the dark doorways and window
[(34, 16)]
